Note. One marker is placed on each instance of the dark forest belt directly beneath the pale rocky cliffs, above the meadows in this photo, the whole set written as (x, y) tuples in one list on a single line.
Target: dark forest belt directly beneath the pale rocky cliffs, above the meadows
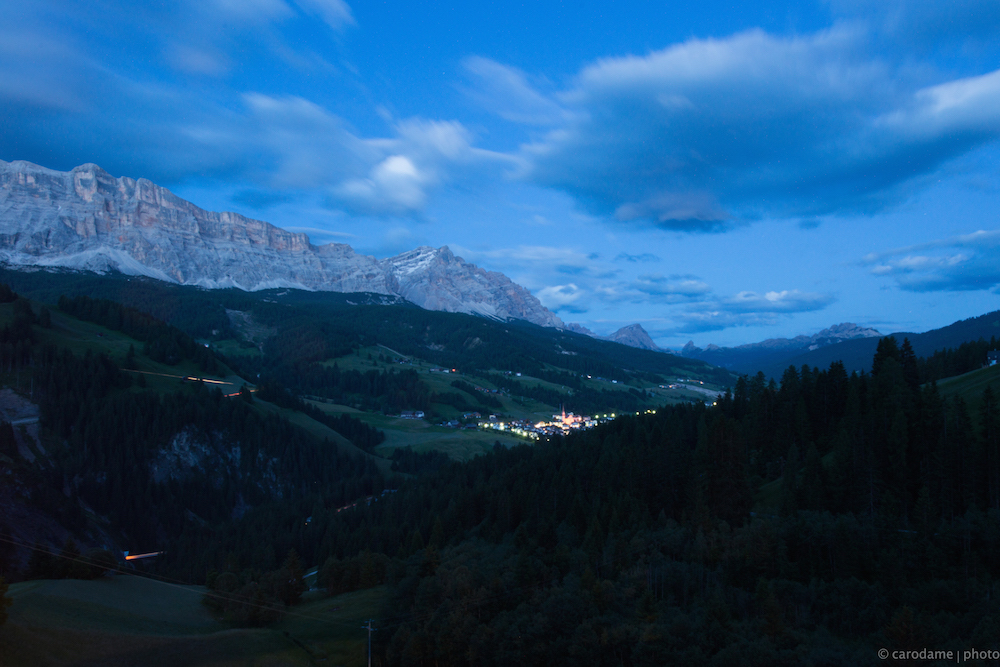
[(312, 326)]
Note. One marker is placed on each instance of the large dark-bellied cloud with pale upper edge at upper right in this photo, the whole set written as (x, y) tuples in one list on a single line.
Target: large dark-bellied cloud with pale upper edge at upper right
[(711, 133)]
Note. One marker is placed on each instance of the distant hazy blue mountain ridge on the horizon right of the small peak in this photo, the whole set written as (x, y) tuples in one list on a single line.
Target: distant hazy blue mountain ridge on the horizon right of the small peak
[(750, 357)]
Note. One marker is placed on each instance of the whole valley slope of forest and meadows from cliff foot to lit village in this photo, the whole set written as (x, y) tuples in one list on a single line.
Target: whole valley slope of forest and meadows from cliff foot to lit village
[(294, 339)]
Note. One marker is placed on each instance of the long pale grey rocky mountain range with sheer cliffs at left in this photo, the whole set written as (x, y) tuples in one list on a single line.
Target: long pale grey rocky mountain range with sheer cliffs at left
[(87, 219)]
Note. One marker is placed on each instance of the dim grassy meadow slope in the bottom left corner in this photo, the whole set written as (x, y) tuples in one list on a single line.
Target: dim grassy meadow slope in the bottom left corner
[(127, 620)]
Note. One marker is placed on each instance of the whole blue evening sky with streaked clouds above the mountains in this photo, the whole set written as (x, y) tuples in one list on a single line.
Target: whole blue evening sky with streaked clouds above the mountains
[(716, 171)]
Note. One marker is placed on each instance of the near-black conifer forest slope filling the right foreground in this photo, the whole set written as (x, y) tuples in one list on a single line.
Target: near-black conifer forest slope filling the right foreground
[(812, 522)]
